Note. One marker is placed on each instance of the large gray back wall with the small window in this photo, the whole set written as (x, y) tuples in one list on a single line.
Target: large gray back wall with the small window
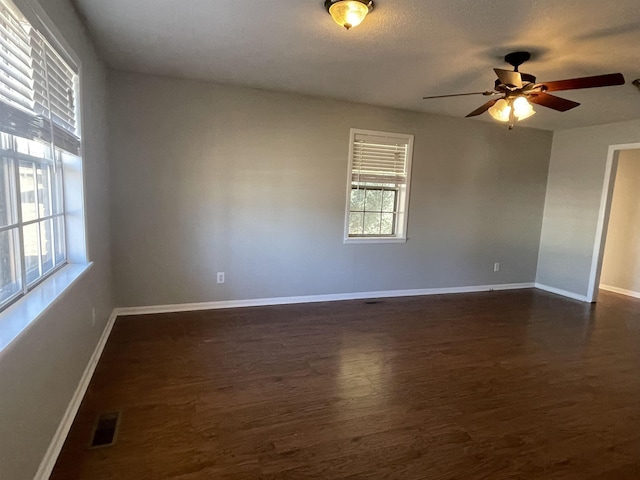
[(210, 178)]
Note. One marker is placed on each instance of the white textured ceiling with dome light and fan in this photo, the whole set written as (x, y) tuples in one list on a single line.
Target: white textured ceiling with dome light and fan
[(404, 50)]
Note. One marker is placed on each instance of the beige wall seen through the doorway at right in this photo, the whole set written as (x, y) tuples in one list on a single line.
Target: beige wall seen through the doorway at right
[(621, 264)]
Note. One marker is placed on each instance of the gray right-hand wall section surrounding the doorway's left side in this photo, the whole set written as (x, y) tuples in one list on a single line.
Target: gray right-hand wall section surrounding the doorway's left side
[(574, 190)]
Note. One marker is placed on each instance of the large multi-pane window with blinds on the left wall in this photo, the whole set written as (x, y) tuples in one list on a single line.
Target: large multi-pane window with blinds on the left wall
[(38, 136)]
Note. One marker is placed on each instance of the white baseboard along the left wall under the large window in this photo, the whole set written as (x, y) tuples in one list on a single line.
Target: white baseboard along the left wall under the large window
[(49, 459)]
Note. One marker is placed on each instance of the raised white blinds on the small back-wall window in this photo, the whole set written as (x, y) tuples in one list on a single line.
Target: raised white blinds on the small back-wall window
[(379, 159)]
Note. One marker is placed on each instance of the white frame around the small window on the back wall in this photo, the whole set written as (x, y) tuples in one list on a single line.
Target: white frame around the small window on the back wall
[(400, 230)]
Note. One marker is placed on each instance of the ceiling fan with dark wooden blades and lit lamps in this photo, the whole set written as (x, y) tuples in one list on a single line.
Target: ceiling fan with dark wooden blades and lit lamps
[(519, 90)]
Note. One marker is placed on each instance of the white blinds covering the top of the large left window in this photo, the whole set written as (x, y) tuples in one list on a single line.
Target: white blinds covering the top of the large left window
[(37, 86)]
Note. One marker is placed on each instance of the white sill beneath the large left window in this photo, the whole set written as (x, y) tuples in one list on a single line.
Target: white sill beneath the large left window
[(22, 314)]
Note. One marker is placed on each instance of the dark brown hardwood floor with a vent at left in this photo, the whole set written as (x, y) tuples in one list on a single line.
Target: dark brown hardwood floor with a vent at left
[(501, 385)]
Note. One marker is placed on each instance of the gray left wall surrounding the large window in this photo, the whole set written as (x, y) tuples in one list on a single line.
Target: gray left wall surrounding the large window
[(40, 371)]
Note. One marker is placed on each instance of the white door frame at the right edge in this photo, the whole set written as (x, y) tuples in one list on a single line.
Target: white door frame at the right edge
[(603, 216)]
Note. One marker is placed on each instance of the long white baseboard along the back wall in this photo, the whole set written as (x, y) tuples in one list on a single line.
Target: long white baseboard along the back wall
[(260, 302)]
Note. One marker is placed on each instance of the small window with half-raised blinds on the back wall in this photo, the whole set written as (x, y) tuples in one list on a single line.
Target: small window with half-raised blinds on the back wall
[(378, 187)]
